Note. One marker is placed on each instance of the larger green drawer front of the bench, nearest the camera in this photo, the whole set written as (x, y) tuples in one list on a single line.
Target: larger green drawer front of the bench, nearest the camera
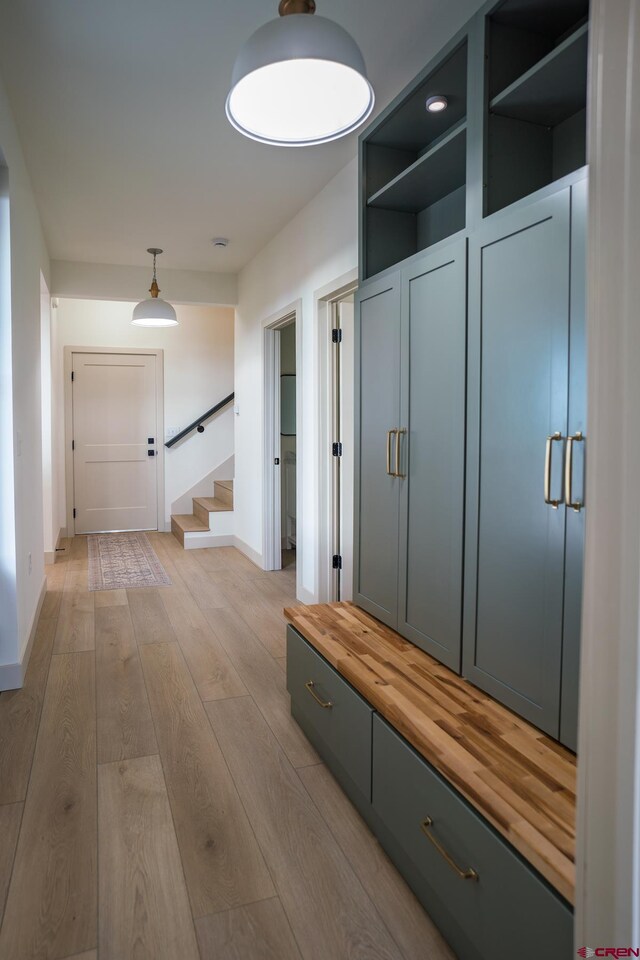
[(509, 911)]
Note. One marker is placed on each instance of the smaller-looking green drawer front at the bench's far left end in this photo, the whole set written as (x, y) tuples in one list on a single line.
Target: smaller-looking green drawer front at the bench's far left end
[(341, 732)]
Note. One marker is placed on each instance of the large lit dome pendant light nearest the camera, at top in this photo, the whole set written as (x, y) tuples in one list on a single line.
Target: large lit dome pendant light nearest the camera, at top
[(299, 80)]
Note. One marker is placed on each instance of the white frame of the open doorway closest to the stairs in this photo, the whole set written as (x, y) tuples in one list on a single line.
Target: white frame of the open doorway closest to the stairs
[(272, 481)]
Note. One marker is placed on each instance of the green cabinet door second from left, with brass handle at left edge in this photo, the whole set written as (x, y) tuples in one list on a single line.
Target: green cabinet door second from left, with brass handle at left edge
[(434, 317)]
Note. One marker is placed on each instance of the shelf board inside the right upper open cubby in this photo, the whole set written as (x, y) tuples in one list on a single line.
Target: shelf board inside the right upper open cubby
[(552, 90)]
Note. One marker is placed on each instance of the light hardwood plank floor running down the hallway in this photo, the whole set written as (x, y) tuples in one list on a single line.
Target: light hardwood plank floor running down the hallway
[(156, 798)]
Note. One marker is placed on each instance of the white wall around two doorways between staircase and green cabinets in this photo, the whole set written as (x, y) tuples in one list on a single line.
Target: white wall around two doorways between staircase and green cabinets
[(318, 246)]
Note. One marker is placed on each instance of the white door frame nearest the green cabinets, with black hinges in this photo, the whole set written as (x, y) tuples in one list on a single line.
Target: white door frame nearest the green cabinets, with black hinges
[(323, 299)]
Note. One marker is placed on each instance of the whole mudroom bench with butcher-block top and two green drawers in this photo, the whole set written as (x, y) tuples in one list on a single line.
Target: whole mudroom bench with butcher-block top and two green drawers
[(475, 806)]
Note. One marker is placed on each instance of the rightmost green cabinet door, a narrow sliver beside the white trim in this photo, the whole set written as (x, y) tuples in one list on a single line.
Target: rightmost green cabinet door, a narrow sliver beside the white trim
[(575, 516)]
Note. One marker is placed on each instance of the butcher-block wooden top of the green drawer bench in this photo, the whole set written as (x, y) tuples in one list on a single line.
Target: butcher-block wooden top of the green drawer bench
[(520, 780)]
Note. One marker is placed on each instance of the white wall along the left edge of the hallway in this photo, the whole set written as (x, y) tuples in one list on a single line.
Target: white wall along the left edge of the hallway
[(22, 445)]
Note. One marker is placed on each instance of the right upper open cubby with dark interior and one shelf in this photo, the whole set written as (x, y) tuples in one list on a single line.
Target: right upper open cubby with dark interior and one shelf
[(537, 92)]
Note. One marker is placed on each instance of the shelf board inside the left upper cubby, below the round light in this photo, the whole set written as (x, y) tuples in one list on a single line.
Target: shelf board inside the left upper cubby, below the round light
[(436, 173)]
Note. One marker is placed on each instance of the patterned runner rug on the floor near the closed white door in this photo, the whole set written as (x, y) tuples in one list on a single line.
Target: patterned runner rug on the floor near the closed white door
[(120, 560)]
